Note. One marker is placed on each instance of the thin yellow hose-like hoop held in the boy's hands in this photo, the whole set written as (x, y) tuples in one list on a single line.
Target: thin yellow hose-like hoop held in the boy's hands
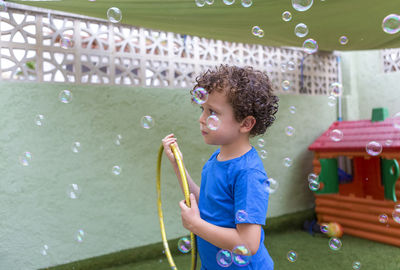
[(160, 213)]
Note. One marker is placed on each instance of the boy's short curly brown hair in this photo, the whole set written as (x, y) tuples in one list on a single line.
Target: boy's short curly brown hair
[(249, 91)]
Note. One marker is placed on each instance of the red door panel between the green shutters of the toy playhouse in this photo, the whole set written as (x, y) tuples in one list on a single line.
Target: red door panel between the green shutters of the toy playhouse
[(368, 173)]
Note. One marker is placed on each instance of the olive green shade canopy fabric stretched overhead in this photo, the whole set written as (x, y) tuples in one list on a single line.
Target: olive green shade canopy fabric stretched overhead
[(327, 21)]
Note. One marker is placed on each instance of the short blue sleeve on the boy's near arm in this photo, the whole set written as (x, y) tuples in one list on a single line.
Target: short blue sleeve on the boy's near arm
[(251, 197)]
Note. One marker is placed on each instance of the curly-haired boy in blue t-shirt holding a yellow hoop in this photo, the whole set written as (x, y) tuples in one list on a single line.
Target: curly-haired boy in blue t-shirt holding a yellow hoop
[(233, 198)]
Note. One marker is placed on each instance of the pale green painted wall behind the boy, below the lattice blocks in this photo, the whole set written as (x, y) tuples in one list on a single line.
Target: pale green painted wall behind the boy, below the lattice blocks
[(119, 212)]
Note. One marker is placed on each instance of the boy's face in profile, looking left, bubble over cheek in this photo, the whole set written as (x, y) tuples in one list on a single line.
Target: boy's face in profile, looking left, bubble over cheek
[(228, 130)]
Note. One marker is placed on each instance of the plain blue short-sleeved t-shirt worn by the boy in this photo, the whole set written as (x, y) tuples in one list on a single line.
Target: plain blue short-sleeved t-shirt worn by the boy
[(231, 192)]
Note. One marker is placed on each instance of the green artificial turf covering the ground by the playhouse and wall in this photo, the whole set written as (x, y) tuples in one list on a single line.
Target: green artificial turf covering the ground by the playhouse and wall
[(313, 252)]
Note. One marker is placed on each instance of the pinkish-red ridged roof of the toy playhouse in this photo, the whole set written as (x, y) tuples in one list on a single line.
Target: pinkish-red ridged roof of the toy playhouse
[(357, 134)]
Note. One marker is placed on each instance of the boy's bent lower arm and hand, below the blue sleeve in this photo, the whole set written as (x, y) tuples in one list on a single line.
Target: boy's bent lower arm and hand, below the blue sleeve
[(224, 238)]
